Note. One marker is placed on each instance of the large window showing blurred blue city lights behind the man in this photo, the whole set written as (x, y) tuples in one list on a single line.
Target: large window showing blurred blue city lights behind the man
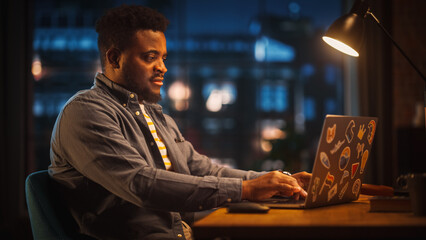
[(231, 73)]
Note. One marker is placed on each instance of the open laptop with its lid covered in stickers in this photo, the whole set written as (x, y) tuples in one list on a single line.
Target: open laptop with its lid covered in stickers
[(342, 154)]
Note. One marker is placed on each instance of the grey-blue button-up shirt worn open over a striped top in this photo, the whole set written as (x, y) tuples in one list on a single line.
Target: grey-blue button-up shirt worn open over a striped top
[(111, 173)]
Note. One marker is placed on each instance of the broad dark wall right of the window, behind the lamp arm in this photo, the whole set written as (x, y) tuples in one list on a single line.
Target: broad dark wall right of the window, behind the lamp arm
[(391, 89)]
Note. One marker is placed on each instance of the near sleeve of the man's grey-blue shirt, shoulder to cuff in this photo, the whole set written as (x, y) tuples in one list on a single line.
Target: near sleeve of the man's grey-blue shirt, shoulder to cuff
[(88, 137)]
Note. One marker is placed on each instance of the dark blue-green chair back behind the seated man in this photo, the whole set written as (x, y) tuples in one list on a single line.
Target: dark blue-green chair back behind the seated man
[(49, 217)]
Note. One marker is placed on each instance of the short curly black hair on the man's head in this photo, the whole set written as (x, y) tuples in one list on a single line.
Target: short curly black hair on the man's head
[(118, 25)]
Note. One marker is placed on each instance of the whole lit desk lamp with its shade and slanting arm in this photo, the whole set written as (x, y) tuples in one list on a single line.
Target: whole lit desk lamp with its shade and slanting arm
[(347, 32)]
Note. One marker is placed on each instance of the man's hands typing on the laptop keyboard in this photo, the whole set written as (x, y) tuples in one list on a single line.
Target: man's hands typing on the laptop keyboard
[(275, 183)]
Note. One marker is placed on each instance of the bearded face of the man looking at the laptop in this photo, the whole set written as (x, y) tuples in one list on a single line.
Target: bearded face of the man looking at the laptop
[(143, 66)]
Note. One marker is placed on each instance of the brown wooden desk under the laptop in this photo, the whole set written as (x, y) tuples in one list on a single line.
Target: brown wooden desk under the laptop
[(344, 221)]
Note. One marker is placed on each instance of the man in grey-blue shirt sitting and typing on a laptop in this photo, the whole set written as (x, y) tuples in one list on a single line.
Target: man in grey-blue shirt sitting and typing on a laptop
[(123, 166)]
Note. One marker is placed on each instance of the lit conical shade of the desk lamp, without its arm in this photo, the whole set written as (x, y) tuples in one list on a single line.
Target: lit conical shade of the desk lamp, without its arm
[(346, 34)]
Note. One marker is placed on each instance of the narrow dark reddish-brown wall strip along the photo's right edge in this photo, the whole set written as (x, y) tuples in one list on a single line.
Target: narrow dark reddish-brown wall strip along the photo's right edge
[(408, 87)]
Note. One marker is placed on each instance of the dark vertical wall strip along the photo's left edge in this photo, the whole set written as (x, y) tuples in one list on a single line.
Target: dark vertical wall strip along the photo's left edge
[(15, 105)]
